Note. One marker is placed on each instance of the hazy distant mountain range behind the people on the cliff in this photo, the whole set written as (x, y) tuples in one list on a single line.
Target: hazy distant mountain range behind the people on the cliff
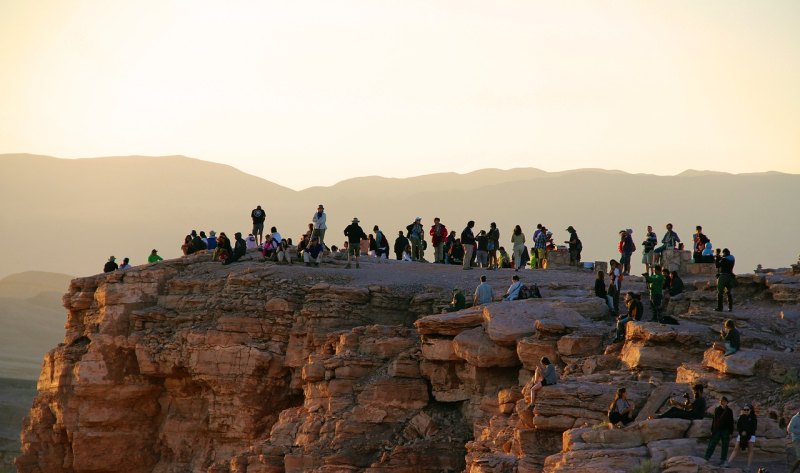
[(69, 216)]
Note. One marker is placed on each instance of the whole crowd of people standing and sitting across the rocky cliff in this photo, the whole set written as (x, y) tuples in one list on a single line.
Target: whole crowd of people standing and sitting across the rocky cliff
[(483, 250)]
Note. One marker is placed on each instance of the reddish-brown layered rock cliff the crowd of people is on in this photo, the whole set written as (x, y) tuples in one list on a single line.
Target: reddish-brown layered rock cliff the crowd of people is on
[(188, 365)]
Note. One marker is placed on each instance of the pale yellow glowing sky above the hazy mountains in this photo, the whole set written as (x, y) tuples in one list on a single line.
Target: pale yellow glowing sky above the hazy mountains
[(313, 92)]
